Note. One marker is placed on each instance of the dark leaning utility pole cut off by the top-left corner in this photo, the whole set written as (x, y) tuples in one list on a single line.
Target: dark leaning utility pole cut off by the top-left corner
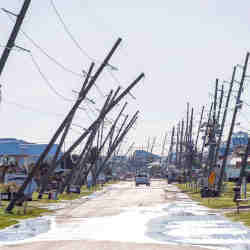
[(14, 33)]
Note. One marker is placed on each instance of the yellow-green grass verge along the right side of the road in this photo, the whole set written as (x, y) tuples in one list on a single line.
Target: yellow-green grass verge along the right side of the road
[(223, 202)]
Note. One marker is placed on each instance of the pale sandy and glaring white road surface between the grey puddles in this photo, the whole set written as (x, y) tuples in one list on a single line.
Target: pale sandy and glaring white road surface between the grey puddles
[(114, 220)]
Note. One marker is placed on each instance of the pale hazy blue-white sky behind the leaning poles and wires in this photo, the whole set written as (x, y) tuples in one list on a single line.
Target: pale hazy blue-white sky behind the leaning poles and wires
[(182, 46)]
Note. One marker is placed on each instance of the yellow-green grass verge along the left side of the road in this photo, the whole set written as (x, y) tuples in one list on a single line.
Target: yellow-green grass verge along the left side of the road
[(32, 209)]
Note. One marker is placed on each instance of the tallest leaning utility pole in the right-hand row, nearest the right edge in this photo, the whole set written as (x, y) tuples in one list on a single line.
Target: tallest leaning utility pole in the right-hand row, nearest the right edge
[(236, 108)]
